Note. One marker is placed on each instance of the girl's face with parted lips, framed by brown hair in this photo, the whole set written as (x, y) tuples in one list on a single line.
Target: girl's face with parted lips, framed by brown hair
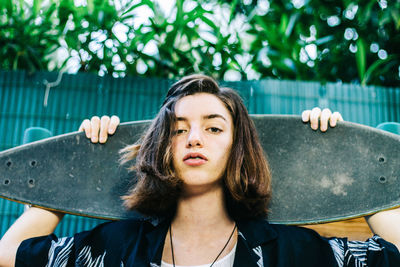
[(202, 141)]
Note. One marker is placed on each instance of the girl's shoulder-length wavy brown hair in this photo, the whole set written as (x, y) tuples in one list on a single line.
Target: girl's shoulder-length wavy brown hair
[(246, 180)]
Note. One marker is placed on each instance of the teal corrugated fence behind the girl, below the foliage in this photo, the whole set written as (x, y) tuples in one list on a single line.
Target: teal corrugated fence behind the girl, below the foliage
[(23, 97)]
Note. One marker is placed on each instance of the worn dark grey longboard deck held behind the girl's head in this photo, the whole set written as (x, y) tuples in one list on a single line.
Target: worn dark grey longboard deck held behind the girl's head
[(349, 171)]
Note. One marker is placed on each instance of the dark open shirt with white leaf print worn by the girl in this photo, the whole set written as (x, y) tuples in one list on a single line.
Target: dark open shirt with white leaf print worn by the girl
[(140, 243)]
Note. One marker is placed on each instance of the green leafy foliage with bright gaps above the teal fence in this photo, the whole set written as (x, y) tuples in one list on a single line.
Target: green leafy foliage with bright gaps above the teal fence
[(346, 41)]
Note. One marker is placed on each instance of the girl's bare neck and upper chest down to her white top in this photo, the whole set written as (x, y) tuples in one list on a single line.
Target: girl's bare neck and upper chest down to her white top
[(200, 229)]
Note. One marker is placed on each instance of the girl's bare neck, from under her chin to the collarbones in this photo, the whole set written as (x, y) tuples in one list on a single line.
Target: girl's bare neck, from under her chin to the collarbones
[(202, 211)]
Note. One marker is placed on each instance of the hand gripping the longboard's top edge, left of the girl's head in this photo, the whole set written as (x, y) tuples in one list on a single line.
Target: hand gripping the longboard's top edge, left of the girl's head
[(98, 129)]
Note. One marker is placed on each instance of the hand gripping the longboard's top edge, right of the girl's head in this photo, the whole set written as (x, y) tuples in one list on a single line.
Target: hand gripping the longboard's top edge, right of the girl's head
[(317, 117)]
